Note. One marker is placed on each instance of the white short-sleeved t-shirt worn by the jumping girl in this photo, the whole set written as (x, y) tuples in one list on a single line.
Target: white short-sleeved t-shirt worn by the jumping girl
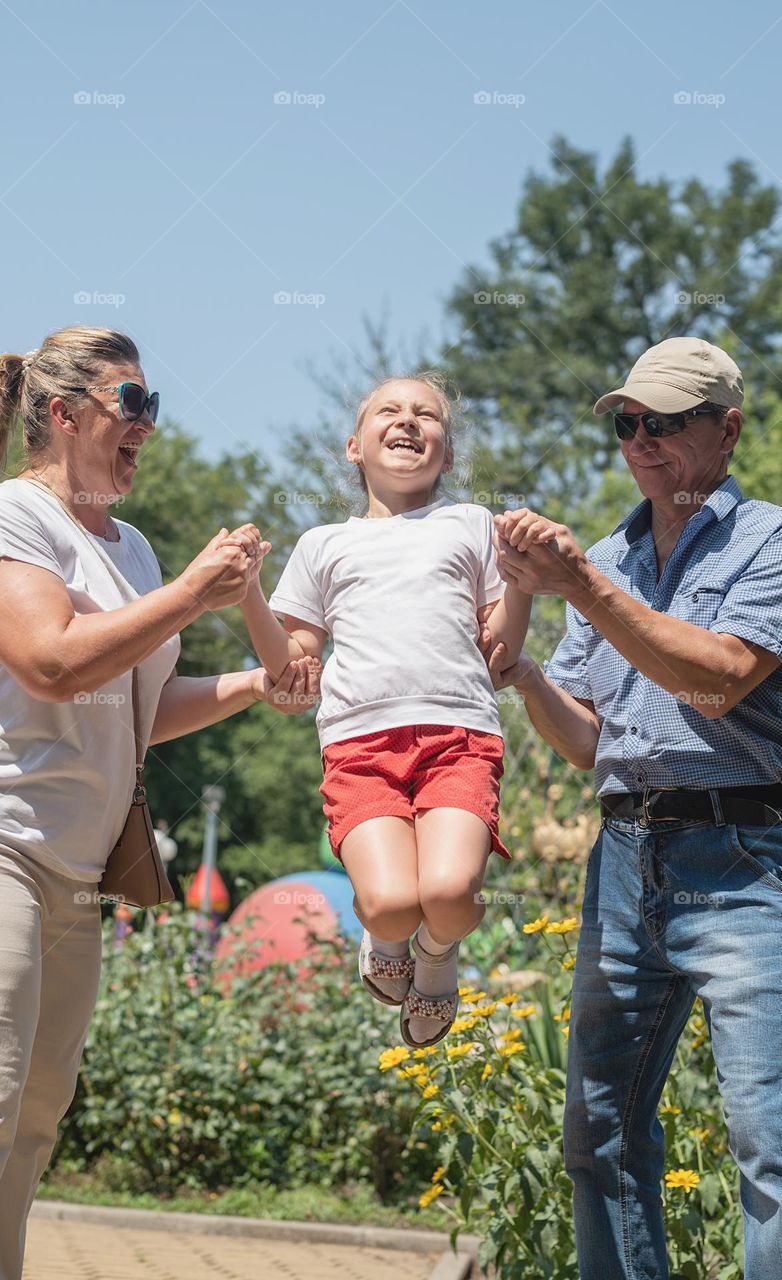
[(399, 596)]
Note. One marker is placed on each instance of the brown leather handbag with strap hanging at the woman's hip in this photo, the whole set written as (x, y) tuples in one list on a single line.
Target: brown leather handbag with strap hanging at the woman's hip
[(135, 872)]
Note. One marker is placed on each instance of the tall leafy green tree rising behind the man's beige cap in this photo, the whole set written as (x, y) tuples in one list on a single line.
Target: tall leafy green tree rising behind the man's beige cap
[(598, 268)]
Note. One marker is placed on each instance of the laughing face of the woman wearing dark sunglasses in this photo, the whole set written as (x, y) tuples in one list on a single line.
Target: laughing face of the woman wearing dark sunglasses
[(104, 446)]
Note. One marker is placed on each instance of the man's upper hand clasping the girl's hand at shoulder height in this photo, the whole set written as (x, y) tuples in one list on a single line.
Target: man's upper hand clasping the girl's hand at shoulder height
[(541, 556)]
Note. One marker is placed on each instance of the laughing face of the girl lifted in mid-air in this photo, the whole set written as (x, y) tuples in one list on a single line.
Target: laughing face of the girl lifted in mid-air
[(403, 444)]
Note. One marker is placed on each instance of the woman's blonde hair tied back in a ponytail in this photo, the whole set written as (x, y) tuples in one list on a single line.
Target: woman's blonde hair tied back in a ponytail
[(66, 362)]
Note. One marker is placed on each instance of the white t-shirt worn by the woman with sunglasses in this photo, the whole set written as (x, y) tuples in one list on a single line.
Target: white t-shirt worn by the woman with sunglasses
[(67, 770)]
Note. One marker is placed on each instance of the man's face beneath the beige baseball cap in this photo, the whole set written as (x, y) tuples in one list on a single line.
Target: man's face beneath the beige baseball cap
[(690, 463)]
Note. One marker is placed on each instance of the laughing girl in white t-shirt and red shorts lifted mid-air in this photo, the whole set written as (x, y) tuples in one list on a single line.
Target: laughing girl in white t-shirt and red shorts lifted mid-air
[(409, 725)]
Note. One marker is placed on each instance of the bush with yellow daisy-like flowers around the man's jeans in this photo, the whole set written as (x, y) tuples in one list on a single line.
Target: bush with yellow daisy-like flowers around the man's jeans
[(495, 1092)]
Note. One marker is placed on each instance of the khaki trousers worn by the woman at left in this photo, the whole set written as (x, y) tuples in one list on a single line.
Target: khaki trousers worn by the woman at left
[(51, 954)]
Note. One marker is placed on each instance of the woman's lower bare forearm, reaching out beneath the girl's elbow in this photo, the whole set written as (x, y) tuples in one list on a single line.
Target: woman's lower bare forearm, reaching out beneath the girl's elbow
[(191, 703)]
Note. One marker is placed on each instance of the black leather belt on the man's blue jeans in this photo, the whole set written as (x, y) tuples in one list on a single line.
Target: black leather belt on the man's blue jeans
[(752, 807)]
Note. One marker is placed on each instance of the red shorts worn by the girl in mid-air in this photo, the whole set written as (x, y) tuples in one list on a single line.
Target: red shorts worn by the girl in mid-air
[(403, 772)]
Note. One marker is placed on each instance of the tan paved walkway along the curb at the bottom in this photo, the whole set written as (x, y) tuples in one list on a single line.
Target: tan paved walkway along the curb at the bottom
[(81, 1251)]
